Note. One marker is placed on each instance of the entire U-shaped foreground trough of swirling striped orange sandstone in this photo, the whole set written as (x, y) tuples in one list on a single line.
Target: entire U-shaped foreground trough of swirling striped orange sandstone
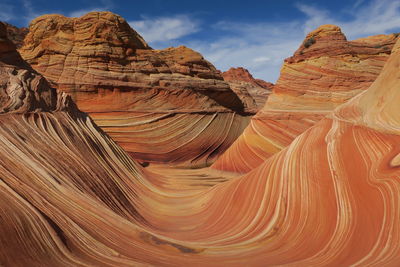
[(331, 198)]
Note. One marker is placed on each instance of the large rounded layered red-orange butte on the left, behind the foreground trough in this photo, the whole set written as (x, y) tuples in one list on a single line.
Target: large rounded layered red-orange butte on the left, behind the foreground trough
[(164, 106)]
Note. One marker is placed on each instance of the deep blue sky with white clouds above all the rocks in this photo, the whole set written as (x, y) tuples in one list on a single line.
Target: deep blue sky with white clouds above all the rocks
[(257, 35)]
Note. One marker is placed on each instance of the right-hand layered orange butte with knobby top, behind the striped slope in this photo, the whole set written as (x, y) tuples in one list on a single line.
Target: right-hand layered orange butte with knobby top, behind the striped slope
[(326, 71)]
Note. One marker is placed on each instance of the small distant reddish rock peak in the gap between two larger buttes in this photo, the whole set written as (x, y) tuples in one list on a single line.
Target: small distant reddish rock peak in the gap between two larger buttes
[(240, 79)]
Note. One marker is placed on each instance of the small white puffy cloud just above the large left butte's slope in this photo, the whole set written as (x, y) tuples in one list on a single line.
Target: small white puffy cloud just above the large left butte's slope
[(163, 29)]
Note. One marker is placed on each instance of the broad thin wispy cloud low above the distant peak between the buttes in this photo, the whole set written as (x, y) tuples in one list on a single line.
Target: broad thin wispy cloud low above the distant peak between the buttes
[(259, 47)]
